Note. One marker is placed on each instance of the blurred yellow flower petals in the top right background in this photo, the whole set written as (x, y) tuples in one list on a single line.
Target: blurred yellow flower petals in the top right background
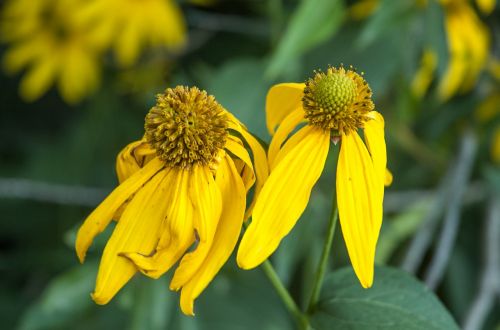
[(468, 44)]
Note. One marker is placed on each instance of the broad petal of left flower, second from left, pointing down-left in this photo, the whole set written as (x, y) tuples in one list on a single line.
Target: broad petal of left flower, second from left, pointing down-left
[(137, 231)]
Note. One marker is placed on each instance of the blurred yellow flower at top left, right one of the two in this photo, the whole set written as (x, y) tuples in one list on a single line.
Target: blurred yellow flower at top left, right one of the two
[(130, 26)]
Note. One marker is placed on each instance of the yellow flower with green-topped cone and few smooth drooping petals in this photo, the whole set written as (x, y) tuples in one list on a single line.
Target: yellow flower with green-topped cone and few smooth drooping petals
[(334, 105)]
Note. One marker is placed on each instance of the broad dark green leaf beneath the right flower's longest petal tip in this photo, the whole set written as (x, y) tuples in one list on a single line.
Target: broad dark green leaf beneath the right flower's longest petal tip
[(396, 301)]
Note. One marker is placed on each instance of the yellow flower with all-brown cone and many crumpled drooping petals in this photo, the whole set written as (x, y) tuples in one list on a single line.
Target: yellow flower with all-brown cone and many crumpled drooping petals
[(182, 196)]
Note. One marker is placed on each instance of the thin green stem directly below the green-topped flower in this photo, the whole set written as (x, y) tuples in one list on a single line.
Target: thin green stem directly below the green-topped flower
[(320, 273)]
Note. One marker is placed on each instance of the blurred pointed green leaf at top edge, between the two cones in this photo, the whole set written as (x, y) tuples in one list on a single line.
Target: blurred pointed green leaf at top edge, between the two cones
[(313, 22)]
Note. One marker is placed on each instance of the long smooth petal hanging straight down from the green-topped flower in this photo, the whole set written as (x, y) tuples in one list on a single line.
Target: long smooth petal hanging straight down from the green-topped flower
[(360, 205)]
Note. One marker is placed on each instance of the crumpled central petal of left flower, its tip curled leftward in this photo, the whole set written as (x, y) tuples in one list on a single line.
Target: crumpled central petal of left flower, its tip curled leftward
[(177, 230)]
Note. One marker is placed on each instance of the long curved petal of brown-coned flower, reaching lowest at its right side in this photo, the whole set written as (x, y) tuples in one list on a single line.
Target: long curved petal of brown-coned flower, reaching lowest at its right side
[(227, 234)]
